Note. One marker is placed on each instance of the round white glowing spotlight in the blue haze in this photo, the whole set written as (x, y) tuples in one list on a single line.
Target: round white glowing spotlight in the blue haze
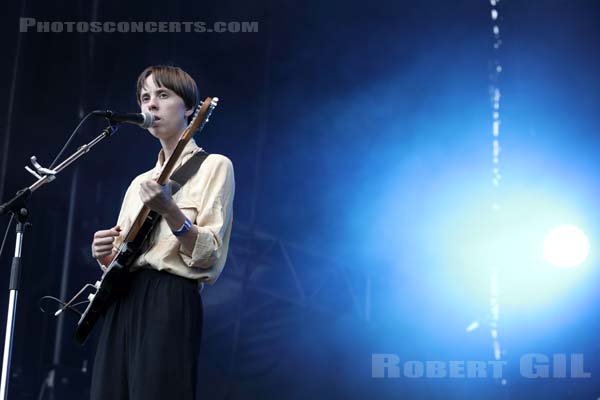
[(566, 246)]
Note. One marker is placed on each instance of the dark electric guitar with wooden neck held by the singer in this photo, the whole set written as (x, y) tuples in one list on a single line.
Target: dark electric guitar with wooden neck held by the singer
[(115, 280)]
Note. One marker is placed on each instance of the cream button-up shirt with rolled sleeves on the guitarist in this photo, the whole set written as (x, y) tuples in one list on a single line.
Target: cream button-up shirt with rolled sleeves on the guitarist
[(206, 199)]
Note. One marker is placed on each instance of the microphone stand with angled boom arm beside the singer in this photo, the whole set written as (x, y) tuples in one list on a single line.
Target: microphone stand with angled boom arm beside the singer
[(18, 207)]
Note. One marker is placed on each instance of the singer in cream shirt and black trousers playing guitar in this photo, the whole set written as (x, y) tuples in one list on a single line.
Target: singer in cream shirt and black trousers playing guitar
[(150, 339)]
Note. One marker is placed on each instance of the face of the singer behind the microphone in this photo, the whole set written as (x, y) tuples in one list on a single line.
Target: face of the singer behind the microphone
[(170, 115)]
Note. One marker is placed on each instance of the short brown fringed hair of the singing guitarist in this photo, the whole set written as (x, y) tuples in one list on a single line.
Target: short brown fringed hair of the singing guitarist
[(173, 78)]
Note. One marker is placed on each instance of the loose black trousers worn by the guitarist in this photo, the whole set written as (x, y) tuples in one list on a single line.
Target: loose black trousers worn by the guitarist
[(149, 342)]
